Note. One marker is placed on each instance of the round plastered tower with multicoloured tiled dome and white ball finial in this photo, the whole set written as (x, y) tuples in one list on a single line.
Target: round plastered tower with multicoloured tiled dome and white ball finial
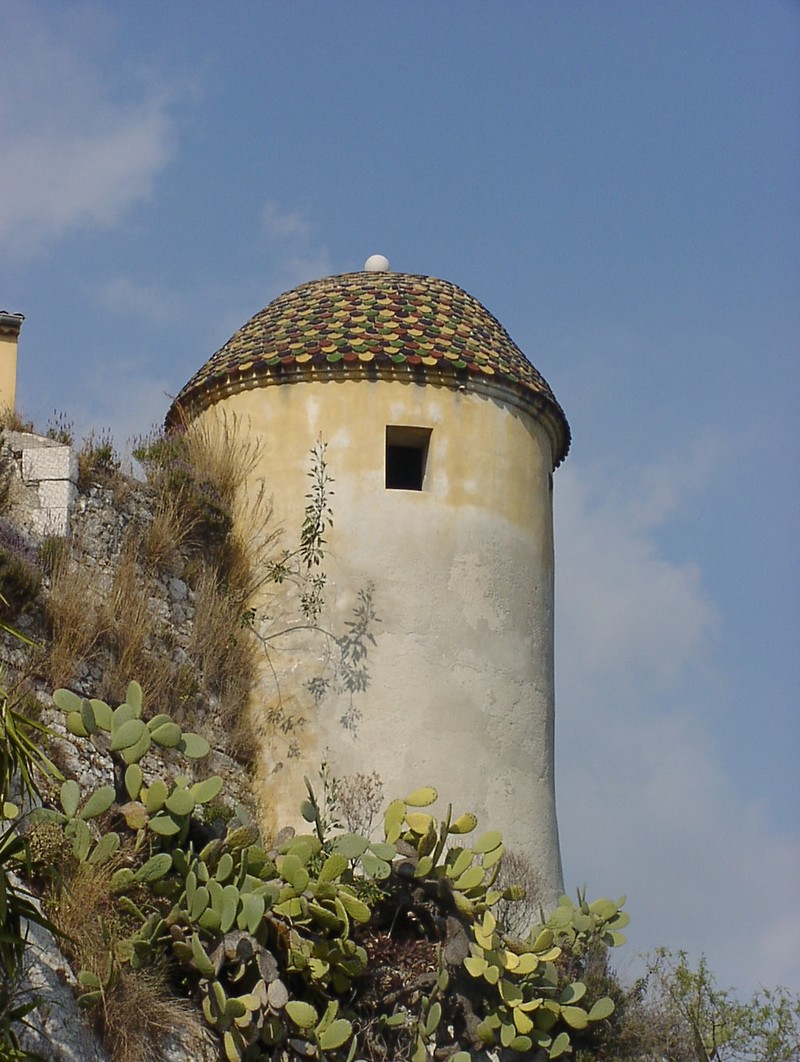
[(441, 440)]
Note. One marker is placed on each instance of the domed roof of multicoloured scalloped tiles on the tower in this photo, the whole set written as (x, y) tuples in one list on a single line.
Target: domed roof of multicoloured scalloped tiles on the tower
[(373, 326)]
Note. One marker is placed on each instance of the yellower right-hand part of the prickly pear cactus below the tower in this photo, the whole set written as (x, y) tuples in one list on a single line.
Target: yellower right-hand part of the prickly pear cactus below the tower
[(510, 991)]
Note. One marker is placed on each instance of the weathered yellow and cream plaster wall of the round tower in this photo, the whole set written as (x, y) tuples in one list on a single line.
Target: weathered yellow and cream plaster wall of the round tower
[(461, 680)]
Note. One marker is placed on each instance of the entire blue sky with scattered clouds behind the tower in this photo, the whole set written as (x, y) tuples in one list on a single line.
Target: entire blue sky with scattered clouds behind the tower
[(619, 183)]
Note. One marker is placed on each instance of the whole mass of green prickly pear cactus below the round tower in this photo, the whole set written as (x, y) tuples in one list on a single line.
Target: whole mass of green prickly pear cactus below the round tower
[(274, 939)]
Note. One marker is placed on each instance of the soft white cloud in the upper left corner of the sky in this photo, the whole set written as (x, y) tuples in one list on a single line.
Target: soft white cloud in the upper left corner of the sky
[(73, 155)]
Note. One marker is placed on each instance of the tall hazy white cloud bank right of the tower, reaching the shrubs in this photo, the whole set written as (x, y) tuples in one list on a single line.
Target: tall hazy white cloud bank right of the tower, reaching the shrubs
[(646, 807)]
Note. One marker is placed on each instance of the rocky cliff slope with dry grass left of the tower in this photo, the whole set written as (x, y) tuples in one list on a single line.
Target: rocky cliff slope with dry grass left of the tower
[(113, 595)]
